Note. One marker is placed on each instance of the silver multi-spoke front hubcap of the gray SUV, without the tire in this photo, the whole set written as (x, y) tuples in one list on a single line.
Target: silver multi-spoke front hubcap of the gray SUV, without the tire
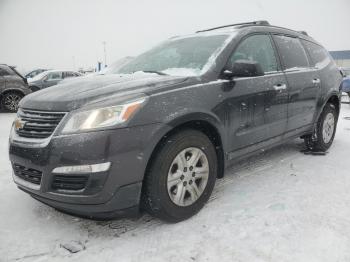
[(188, 176)]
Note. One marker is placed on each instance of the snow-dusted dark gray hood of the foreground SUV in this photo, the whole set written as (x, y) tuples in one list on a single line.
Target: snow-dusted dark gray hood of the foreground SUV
[(77, 92)]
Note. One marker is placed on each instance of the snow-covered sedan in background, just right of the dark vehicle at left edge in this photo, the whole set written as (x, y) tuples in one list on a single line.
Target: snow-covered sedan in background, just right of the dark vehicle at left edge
[(50, 78)]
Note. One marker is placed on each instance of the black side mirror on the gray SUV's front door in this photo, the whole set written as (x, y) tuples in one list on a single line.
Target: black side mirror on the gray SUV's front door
[(244, 68)]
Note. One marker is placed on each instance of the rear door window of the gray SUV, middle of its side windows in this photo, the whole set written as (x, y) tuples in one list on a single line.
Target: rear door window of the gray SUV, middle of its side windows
[(292, 52)]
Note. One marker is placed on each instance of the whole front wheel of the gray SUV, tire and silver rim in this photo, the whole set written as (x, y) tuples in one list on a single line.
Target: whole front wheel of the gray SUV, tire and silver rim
[(160, 197)]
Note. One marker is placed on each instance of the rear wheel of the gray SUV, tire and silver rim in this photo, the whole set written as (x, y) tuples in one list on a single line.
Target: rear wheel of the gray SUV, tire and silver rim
[(324, 133)]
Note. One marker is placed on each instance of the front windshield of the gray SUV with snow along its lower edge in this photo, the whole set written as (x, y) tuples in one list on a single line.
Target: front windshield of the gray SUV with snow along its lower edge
[(184, 56)]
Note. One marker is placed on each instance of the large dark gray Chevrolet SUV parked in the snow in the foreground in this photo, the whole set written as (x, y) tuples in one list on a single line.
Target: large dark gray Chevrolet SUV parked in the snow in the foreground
[(157, 133)]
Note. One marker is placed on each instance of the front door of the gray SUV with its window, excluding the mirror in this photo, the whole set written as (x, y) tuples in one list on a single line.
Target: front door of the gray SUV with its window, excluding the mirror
[(258, 105)]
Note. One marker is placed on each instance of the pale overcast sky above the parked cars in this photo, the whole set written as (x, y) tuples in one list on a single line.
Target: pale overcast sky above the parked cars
[(69, 33)]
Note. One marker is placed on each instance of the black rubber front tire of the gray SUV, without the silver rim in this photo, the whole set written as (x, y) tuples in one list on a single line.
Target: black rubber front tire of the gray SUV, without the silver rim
[(163, 206)]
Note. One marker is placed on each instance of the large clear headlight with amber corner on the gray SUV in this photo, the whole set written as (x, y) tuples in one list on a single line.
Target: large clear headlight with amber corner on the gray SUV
[(101, 117)]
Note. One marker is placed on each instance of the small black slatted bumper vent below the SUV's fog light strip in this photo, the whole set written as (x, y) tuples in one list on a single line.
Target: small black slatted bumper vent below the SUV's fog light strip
[(62, 182)]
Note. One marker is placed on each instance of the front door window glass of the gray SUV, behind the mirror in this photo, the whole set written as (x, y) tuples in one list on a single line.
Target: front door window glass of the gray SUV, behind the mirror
[(257, 48)]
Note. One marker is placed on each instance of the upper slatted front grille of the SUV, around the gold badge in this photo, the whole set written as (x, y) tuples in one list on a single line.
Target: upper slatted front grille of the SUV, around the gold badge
[(37, 124)]
